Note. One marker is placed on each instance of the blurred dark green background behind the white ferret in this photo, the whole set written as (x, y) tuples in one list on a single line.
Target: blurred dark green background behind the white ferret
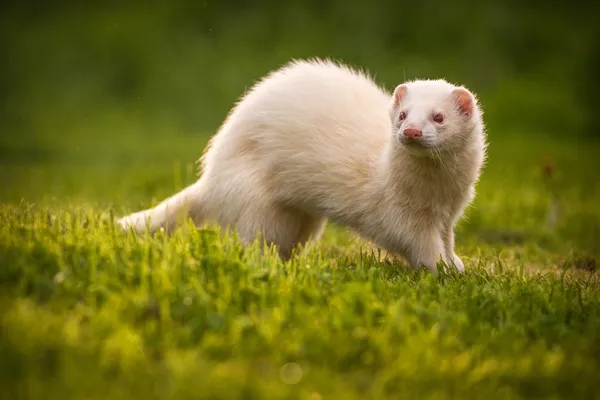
[(92, 89)]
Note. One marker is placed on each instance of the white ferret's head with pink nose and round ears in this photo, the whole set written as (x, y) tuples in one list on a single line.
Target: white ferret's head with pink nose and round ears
[(433, 115)]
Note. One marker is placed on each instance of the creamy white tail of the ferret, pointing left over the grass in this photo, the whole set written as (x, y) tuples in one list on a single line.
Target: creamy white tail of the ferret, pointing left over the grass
[(169, 213)]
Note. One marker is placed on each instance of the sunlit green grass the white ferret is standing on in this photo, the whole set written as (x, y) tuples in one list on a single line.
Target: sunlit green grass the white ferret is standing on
[(89, 312)]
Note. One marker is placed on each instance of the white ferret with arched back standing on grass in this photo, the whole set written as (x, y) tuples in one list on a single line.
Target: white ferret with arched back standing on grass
[(317, 141)]
